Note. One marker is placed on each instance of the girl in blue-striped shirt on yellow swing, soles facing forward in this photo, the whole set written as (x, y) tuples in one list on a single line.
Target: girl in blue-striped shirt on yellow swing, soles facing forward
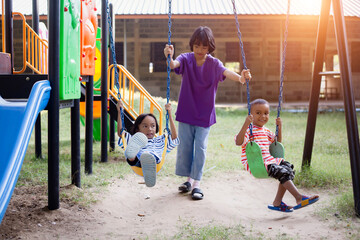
[(144, 149)]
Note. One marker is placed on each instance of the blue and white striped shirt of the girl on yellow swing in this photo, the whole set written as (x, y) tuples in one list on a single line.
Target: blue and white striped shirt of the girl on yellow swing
[(155, 146)]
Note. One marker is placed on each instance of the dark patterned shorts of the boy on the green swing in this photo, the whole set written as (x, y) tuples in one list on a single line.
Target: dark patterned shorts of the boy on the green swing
[(282, 172)]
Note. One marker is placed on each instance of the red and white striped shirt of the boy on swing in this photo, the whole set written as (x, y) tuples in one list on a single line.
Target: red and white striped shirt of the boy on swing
[(264, 137)]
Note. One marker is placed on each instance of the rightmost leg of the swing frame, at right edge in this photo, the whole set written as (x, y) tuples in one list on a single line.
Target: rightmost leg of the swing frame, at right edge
[(349, 103)]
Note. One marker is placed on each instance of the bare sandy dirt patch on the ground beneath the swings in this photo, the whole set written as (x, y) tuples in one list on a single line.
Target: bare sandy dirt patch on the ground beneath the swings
[(129, 210)]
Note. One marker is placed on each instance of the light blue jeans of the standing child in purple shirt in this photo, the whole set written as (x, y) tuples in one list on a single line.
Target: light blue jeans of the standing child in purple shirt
[(191, 152)]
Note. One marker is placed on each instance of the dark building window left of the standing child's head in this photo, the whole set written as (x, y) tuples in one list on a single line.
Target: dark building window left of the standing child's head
[(157, 58)]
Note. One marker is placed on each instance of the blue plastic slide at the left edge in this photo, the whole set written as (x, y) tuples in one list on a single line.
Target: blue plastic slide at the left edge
[(17, 120)]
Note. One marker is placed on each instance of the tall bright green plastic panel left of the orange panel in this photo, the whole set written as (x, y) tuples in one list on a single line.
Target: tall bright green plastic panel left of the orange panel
[(69, 84)]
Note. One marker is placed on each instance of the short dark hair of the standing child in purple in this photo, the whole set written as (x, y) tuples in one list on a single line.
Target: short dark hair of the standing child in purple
[(203, 35)]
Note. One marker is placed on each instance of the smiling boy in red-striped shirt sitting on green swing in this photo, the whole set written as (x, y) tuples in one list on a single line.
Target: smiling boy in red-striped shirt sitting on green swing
[(277, 168)]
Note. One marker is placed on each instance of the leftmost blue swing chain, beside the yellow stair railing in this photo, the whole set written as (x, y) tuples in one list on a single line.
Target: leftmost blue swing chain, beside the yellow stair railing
[(113, 54)]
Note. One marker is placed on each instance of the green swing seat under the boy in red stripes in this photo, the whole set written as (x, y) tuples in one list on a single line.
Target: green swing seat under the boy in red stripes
[(255, 160)]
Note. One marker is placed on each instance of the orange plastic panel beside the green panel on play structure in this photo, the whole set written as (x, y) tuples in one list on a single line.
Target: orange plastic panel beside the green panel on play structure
[(88, 37)]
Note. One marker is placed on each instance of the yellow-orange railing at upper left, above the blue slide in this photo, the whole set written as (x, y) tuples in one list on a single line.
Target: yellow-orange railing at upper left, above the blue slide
[(35, 50)]
